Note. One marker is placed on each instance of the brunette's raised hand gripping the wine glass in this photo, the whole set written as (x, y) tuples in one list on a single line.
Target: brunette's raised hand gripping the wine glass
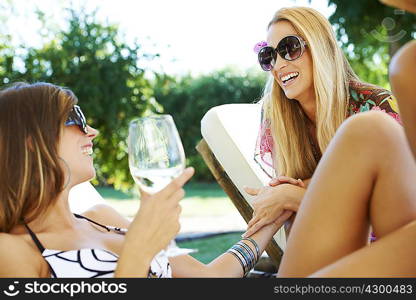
[(157, 221)]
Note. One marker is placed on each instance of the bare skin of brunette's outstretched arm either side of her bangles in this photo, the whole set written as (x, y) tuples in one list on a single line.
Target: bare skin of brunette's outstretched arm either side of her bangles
[(226, 265)]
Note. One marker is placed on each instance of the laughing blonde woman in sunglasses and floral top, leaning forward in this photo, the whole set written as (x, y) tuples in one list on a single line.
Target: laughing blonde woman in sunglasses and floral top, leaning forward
[(311, 91)]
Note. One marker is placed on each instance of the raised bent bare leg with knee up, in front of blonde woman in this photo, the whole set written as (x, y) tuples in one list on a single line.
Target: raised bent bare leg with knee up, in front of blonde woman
[(365, 176)]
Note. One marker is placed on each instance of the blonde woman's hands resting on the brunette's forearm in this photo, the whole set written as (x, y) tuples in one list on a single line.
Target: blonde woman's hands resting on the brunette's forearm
[(274, 203)]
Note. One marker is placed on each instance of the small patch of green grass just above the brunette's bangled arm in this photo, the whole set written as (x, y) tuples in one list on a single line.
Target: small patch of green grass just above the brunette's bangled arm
[(211, 247)]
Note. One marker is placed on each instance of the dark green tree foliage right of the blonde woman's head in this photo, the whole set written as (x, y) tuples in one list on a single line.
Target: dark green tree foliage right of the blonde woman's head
[(370, 33)]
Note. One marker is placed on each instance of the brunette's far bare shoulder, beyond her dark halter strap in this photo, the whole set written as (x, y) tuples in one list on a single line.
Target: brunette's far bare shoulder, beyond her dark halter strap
[(107, 215)]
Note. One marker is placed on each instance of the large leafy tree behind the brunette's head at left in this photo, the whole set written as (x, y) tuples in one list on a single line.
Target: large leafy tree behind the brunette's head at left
[(92, 60)]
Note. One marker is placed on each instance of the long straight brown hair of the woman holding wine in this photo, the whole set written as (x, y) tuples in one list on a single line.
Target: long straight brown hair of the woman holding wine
[(31, 120)]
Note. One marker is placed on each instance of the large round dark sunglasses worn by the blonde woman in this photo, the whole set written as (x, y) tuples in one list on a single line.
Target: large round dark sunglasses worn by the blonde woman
[(289, 48)]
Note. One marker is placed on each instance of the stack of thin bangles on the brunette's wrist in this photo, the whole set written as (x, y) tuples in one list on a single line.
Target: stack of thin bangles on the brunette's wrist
[(245, 254)]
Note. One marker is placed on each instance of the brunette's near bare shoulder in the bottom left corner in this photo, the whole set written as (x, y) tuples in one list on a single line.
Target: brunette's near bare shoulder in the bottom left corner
[(18, 258)]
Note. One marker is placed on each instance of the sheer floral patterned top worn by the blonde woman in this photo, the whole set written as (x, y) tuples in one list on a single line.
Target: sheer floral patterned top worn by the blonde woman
[(363, 97)]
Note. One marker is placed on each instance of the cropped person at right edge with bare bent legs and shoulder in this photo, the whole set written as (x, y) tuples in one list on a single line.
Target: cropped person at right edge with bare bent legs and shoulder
[(329, 235)]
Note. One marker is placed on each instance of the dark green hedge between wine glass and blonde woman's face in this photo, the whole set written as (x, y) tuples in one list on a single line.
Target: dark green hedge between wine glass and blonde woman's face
[(187, 99)]
